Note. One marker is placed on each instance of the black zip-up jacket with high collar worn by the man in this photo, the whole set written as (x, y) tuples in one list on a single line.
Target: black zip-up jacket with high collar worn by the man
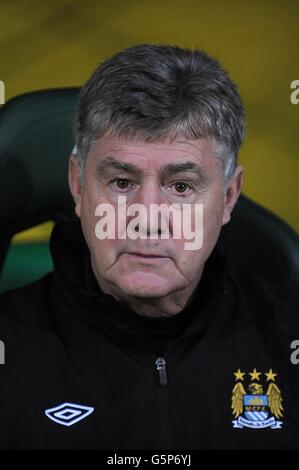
[(83, 371)]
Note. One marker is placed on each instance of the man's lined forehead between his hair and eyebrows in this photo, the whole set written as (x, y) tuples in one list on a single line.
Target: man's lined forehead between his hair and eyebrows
[(156, 154)]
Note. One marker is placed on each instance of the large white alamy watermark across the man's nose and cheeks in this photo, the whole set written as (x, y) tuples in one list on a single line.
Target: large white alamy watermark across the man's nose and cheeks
[(186, 221)]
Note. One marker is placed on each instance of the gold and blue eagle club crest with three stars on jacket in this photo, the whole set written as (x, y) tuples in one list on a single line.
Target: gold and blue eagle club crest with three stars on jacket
[(251, 406)]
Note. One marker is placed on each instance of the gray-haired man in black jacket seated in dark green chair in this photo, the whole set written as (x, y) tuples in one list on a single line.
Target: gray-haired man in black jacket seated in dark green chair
[(138, 340)]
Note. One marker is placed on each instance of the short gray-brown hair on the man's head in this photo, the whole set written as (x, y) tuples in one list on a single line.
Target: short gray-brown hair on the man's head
[(152, 93)]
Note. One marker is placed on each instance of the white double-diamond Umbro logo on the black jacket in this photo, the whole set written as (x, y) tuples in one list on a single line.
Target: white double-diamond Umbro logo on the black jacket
[(68, 414)]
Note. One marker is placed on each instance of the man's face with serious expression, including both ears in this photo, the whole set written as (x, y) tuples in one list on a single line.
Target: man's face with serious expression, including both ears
[(179, 172)]
